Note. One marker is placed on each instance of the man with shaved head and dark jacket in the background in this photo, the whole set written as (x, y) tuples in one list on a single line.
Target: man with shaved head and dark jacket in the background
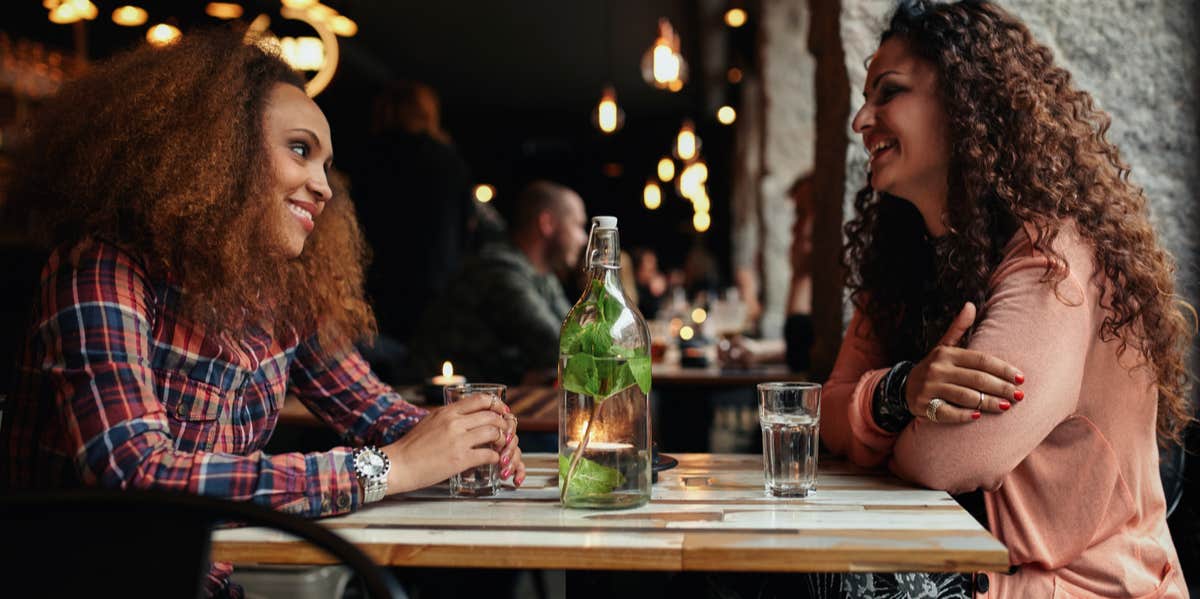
[(501, 316)]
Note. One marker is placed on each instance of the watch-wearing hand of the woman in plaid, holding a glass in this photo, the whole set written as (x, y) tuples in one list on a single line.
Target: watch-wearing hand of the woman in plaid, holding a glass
[(451, 440)]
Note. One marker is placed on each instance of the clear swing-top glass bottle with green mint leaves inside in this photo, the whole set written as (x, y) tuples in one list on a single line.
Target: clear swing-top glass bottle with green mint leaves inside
[(604, 374)]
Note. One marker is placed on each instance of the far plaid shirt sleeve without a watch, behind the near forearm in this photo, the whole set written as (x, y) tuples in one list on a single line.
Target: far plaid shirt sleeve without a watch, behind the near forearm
[(341, 390)]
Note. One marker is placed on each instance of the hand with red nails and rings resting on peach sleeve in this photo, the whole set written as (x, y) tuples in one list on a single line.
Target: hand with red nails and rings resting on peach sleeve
[(969, 382)]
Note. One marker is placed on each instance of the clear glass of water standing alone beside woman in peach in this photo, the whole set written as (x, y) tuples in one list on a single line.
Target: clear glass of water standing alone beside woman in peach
[(790, 417)]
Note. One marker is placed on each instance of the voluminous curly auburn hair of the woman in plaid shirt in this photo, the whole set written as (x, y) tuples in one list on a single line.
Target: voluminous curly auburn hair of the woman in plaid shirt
[(163, 152)]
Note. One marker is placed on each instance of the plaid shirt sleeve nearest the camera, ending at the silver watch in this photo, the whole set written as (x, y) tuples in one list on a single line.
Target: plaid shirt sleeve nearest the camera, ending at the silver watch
[(95, 334)]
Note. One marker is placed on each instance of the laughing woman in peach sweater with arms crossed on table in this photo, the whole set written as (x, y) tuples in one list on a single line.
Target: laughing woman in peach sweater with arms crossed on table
[(1016, 332)]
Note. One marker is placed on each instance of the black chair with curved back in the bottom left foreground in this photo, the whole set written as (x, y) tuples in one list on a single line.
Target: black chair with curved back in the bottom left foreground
[(157, 544)]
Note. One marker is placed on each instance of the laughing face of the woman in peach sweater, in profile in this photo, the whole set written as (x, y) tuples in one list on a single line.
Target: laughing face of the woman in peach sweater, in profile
[(904, 129)]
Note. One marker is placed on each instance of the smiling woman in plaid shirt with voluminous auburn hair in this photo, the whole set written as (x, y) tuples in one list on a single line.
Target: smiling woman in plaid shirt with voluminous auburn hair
[(206, 265)]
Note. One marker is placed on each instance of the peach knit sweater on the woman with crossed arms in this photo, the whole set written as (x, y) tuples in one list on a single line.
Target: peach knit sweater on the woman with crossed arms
[(1071, 475)]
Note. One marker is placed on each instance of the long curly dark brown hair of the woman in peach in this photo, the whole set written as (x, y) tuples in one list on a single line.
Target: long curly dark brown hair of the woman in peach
[(1027, 148)]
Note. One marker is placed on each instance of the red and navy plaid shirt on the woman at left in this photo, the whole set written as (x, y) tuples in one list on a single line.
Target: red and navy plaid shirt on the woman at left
[(116, 390)]
